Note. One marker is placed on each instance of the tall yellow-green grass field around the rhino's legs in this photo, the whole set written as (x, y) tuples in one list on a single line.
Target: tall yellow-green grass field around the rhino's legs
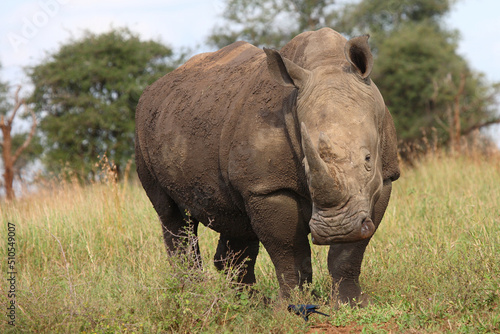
[(91, 260)]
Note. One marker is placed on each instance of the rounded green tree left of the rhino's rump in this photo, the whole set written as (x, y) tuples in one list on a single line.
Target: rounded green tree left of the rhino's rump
[(86, 93)]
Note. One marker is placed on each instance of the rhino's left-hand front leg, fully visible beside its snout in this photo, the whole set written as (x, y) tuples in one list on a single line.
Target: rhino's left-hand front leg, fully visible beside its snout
[(279, 222)]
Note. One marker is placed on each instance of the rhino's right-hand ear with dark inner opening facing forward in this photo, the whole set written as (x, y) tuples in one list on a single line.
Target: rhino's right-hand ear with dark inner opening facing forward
[(357, 51)]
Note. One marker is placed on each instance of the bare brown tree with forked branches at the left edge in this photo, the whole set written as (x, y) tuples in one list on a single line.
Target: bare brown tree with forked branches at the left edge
[(11, 148)]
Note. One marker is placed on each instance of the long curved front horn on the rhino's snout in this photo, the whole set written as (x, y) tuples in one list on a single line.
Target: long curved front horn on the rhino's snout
[(325, 186)]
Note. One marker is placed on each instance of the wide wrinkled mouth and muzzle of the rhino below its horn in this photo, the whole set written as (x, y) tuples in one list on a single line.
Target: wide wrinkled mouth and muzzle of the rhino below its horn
[(329, 230)]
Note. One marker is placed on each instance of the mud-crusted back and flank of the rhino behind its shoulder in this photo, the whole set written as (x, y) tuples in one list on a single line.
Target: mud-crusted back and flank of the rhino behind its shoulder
[(185, 122)]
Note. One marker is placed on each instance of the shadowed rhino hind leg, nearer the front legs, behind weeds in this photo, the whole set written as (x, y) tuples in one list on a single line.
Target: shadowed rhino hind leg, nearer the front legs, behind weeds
[(239, 253)]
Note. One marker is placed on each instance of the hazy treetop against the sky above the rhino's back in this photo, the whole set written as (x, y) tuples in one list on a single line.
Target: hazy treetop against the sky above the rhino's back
[(271, 23)]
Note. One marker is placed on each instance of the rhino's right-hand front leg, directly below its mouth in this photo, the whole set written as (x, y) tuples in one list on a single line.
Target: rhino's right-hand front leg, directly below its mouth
[(344, 260)]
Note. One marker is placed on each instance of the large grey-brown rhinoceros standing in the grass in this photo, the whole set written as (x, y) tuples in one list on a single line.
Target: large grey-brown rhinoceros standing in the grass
[(271, 146)]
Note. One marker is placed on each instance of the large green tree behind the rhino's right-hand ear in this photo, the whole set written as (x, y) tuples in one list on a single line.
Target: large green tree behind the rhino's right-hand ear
[(425, 83)]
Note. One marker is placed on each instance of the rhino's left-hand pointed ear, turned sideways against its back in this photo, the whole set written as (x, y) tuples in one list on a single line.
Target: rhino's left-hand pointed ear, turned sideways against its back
[(284, 71)]
